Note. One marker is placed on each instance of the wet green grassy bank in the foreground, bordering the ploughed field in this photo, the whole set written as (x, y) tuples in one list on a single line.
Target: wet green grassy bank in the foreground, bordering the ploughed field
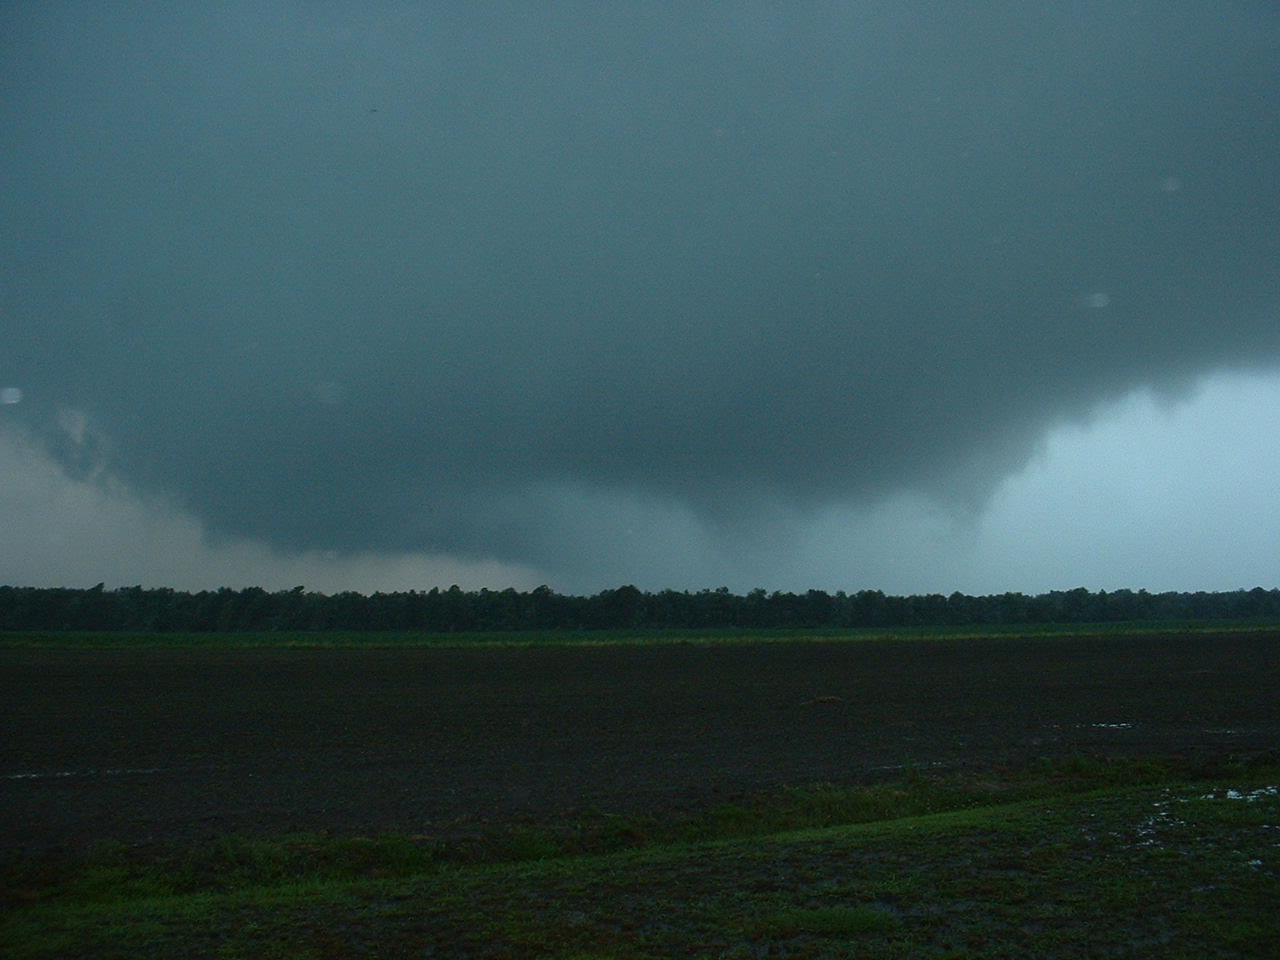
[(1069, 860)]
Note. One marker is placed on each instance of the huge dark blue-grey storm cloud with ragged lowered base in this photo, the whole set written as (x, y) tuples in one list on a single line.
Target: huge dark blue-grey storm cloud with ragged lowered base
[(560, 285)]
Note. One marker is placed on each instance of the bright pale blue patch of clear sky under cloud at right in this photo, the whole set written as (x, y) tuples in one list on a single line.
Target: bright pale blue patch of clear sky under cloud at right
[(1178, 496)]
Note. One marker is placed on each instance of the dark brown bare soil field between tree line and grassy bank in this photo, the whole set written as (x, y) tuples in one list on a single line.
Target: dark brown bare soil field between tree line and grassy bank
[(177, 746)]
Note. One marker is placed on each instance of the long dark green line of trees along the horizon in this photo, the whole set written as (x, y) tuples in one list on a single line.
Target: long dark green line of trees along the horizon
[(134, 609)]
